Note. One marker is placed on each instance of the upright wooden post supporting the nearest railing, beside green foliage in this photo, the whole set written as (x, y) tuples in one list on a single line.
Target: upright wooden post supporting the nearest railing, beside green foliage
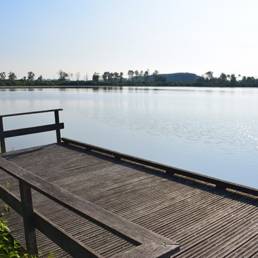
[(28, 219)]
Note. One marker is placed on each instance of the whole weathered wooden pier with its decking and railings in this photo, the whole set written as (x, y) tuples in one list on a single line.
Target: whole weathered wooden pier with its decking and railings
[(72, 199)]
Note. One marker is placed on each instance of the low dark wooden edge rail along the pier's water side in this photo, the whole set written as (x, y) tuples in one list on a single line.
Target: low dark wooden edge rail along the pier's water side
[(220, 184)]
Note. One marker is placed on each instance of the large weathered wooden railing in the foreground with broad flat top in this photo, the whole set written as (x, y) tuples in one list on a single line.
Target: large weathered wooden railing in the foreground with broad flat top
[(145, 241)]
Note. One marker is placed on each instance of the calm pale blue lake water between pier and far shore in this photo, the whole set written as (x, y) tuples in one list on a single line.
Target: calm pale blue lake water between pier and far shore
[(210, 131)]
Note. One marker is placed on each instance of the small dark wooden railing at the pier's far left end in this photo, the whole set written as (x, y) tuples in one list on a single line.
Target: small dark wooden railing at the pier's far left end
[(57, 126)]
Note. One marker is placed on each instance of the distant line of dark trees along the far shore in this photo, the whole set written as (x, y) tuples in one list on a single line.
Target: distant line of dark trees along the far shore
[(134, 78)]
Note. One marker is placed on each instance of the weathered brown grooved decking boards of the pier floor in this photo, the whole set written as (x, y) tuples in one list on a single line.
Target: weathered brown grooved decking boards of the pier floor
[(206, 222)]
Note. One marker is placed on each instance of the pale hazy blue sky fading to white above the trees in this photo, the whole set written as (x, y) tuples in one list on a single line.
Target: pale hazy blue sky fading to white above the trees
[(116, 35)]
